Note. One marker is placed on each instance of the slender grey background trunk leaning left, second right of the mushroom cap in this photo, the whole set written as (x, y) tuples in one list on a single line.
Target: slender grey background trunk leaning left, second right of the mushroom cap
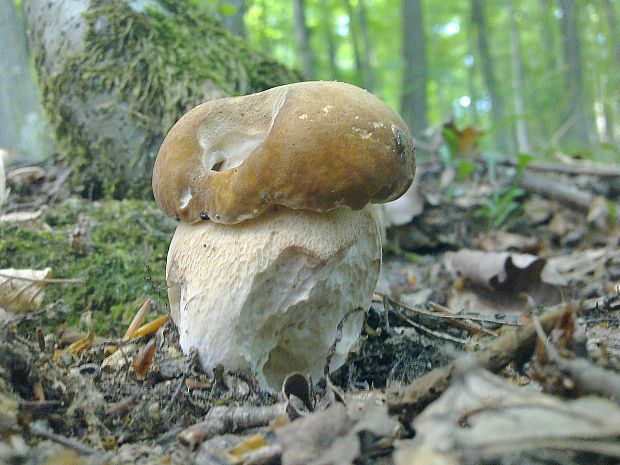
[(503, 137)]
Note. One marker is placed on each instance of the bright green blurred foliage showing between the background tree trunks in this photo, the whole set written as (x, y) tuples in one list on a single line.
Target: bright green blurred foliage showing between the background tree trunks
[(454, 67)]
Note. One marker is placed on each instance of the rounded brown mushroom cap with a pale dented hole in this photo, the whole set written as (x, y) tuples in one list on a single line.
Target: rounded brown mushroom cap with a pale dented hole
[(309, 145)]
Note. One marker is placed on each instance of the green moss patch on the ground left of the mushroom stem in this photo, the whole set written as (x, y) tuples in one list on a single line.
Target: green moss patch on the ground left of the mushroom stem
[(124, 264)]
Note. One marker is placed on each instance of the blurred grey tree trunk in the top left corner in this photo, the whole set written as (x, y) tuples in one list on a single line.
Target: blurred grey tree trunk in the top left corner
[(22, 127)]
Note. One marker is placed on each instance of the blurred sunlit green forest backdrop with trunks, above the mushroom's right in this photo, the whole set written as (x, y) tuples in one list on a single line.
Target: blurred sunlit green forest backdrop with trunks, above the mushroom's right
[(535, 75)]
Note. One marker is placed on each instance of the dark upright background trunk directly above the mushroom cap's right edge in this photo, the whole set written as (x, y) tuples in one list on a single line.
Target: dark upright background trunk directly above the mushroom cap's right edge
[(413, 100)]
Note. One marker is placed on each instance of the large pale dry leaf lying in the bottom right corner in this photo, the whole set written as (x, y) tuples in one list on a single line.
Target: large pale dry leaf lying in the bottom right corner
[(482, 419)]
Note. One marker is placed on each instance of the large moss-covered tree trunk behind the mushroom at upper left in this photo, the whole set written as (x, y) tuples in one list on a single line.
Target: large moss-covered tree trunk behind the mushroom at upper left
[(116, 74)]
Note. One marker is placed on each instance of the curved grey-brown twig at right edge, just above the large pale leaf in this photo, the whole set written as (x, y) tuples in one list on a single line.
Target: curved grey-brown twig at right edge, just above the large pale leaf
[(588, 378)]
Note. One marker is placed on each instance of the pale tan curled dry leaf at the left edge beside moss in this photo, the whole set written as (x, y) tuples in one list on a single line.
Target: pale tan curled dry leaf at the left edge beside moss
[(22, 290)]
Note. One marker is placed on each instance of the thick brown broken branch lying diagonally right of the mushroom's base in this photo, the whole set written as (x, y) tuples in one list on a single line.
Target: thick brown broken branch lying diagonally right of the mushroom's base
[(517, 345)]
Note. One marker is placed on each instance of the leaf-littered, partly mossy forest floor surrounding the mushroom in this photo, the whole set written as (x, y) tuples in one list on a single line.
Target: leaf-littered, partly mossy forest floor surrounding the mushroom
[(453, 365)]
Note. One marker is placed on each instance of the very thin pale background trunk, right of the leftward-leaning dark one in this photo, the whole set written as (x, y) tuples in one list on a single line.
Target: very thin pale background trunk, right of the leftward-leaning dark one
[(523, 142)]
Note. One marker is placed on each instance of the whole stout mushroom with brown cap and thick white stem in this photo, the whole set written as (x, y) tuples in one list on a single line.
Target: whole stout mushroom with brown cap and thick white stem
[(279, 241)]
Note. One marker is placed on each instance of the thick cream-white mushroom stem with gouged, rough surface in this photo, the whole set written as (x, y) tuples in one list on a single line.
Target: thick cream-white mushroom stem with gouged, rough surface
[(266, 295)]
